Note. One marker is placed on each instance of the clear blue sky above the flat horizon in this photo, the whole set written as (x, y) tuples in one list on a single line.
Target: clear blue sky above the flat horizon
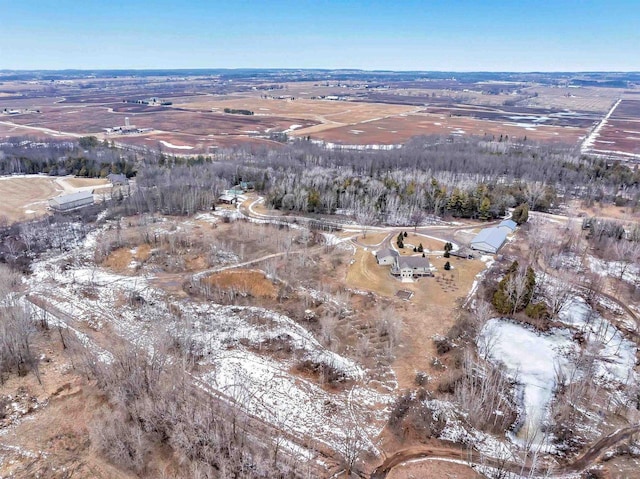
[(474, 35)]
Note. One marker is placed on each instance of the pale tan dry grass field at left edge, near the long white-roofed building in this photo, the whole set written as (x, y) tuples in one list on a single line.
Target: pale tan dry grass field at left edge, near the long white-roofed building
[(24, 198)]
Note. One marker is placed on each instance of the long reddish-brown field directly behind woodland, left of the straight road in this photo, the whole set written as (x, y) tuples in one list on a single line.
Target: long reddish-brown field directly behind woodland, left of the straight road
[(399, 129)]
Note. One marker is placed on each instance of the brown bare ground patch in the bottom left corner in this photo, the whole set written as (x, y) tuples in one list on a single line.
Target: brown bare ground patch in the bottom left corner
[(53, 439)]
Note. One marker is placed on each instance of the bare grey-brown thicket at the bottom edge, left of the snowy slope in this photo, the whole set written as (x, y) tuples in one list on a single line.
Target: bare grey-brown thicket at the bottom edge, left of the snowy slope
[(153, 404)]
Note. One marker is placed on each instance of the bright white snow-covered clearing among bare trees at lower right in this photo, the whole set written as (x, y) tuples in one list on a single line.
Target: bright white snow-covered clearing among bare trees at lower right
[(536, 361)]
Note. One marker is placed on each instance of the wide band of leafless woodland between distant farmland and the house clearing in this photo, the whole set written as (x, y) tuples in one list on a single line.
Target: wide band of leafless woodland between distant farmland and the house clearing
[(468, 178)]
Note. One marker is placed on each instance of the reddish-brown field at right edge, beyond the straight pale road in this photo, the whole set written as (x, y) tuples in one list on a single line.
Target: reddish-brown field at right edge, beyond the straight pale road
[(621, 132)]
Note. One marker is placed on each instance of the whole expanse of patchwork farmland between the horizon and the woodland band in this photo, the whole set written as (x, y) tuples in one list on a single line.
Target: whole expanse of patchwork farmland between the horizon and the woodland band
[(350, 112)]
